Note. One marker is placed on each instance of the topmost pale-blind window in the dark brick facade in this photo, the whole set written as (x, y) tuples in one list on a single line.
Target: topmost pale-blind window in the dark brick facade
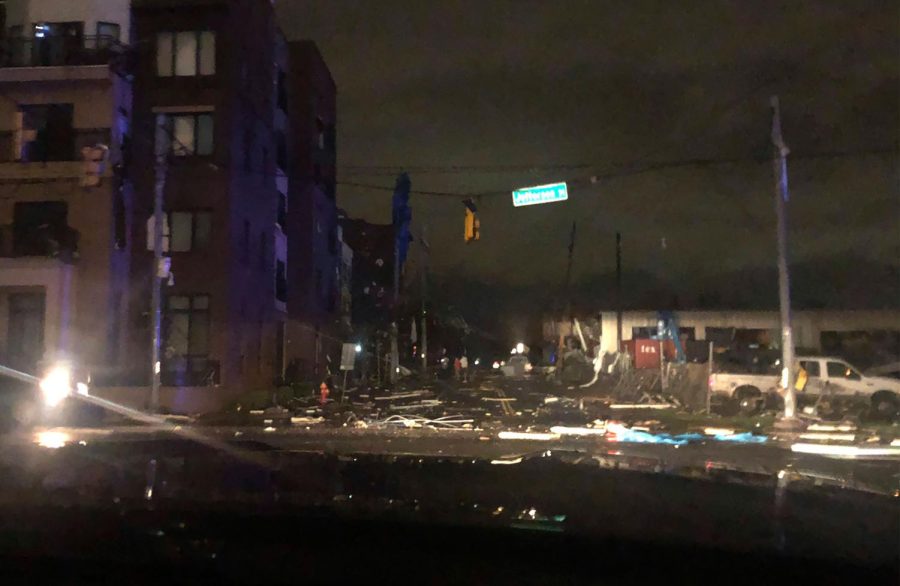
[(185, 53)]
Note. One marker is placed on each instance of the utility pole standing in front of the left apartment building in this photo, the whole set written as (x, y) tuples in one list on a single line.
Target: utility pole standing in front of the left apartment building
[(162, 151)]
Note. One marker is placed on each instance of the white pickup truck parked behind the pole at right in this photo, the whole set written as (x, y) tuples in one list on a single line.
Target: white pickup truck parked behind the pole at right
[(825, 375)]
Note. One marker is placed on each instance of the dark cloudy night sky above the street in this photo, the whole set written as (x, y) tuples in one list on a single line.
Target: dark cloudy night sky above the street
[(427, 85)]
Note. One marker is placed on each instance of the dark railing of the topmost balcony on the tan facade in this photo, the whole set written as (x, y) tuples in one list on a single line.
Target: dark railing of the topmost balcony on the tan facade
[(58, 51)]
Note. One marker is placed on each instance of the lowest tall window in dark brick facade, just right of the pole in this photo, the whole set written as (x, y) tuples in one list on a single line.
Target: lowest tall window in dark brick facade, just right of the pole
[(187, 334)]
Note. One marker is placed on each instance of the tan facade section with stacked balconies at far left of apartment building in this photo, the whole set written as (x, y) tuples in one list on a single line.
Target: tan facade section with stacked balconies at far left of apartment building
[(65, 191)]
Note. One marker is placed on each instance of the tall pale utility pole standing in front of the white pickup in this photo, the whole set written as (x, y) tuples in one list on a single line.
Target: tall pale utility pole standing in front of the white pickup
[(779, 163)]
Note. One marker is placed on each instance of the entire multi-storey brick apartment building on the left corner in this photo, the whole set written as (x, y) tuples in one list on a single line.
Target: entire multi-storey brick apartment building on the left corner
[(249, 196)]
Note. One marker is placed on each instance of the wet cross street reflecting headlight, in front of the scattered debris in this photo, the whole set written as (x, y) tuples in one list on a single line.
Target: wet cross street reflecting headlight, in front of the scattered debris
[(705, 457)]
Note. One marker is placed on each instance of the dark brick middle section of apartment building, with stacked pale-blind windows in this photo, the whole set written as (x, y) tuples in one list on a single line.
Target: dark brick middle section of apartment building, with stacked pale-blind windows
[(207, 67)]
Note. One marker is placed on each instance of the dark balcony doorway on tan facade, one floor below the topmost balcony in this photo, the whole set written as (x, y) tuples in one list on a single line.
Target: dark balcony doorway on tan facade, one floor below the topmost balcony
[(46, 133)]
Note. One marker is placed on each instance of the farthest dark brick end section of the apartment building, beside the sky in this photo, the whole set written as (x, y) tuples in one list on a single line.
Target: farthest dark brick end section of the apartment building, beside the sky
[(314, 253)]
